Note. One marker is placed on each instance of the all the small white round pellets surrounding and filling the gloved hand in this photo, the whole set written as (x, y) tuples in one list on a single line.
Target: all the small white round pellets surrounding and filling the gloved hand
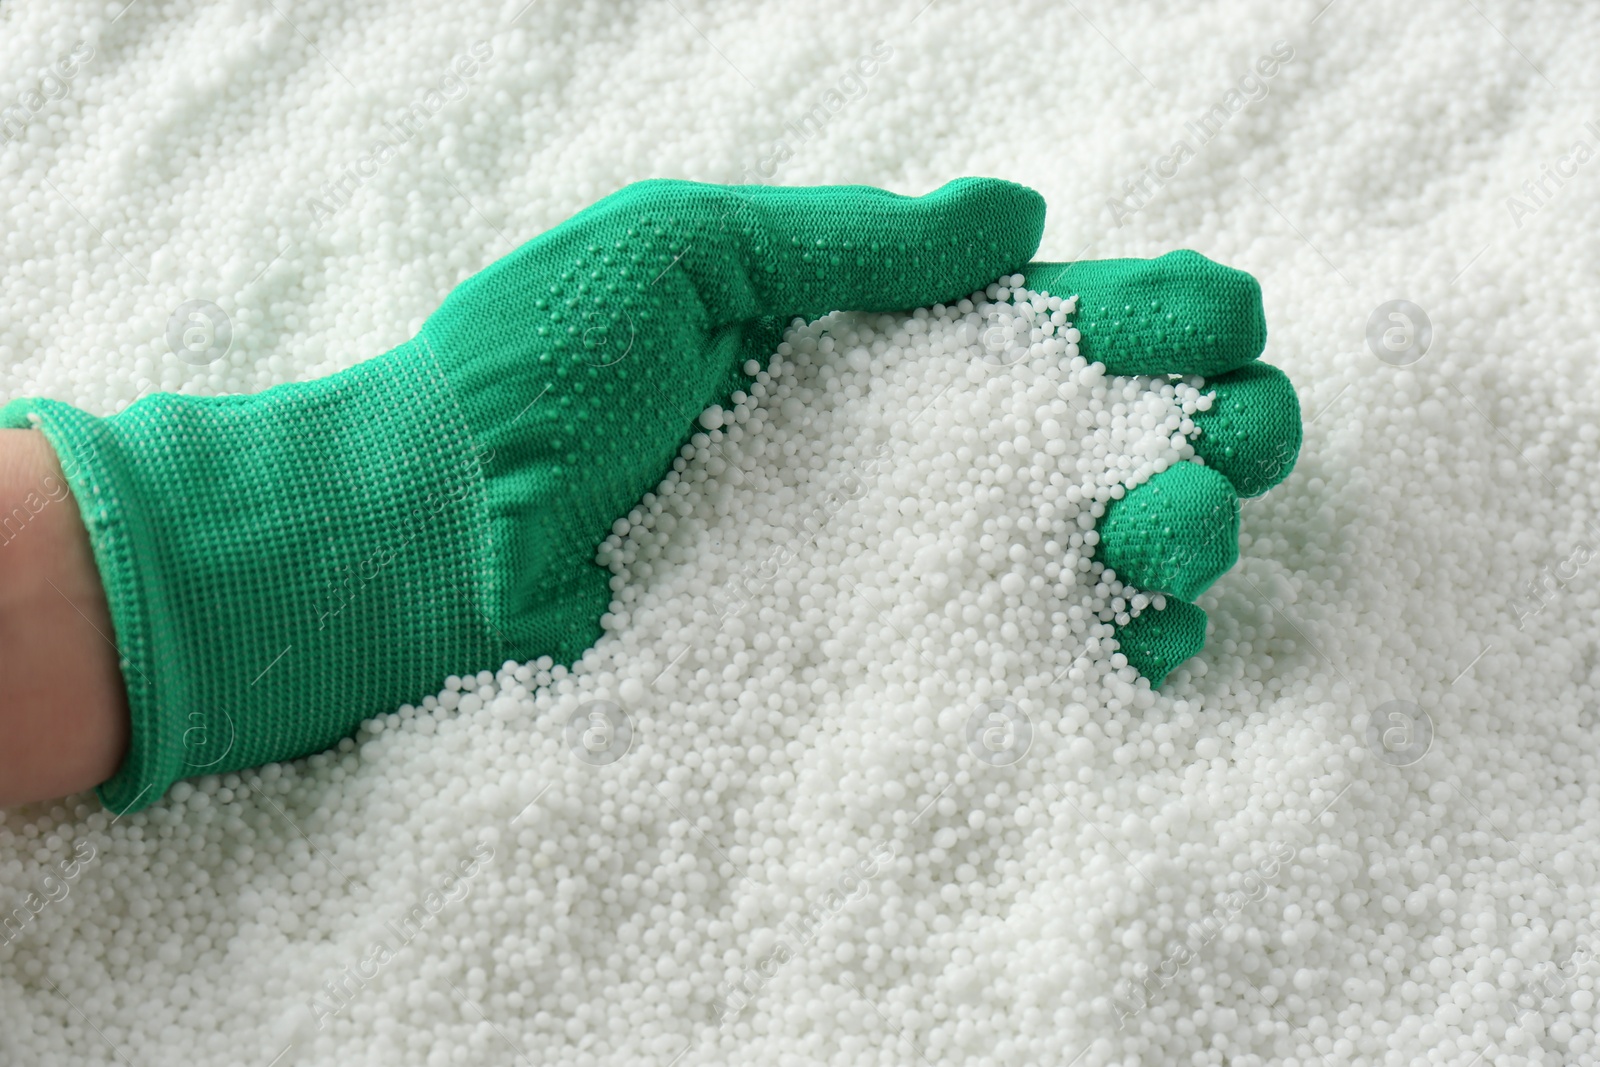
[(854, 777)]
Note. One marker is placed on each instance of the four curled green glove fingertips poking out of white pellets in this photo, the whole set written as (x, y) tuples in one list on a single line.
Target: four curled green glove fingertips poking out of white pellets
[(1177, 533)]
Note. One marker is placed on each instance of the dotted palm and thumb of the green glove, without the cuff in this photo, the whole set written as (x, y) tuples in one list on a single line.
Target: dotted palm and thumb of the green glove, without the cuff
[(583, 359)]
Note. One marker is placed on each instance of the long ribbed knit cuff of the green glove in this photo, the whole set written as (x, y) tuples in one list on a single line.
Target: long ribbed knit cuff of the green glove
[(281, 567)]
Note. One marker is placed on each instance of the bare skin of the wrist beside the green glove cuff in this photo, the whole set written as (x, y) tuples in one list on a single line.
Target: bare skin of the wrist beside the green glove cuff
[(65, 713)]
